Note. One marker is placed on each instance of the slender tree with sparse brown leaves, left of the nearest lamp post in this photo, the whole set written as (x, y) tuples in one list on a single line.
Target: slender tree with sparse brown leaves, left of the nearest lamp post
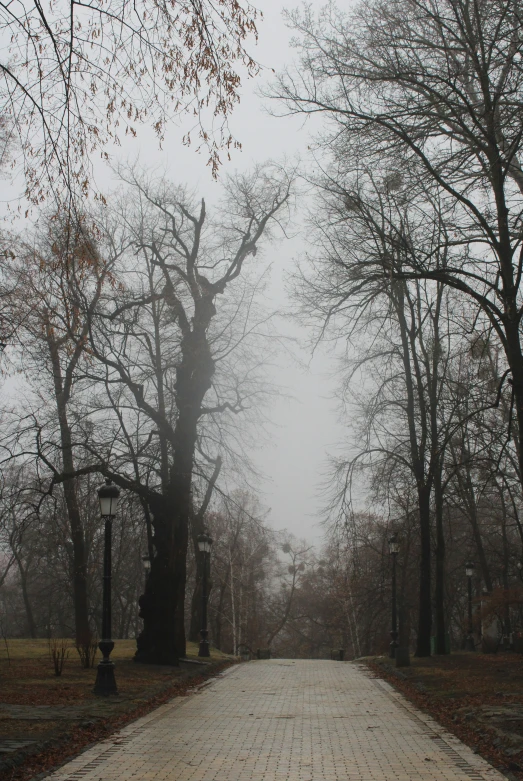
[(52, 278)]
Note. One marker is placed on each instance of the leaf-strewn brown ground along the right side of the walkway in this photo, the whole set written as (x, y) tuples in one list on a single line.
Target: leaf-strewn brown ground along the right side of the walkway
[(478, 697)]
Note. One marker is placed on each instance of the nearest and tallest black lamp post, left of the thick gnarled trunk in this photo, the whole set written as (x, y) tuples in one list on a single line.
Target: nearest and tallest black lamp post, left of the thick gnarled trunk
[(105, 684)]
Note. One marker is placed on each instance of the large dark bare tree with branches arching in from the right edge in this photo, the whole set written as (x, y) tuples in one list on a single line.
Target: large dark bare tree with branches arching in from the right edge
[(440, 87)]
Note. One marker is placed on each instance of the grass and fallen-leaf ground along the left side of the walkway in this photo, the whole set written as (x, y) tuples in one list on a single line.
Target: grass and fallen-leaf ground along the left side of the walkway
[(45, 718)]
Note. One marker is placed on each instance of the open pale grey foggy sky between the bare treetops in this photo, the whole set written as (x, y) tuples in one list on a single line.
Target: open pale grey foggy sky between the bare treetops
[(304, 427)]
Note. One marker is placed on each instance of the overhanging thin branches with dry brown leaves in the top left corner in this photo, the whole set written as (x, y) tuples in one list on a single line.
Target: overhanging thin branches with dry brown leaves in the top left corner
[(75, 75)]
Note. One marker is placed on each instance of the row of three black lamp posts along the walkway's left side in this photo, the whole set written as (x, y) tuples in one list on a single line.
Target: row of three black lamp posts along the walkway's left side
[(108, 496)]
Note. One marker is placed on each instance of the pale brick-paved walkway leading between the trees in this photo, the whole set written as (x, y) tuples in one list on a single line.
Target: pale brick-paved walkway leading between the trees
[(282, 720)]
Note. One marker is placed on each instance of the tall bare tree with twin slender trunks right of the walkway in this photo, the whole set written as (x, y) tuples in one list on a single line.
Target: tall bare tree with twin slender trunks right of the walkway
[(367, 227)]
